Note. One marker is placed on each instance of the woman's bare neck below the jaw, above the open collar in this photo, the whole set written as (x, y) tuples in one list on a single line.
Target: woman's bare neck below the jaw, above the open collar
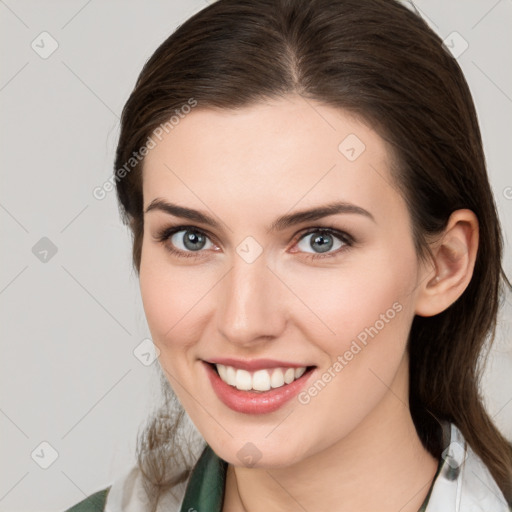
[(381, 465)]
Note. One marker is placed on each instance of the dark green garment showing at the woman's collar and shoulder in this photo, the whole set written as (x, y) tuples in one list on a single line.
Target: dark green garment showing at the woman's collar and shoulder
[(205, 488)]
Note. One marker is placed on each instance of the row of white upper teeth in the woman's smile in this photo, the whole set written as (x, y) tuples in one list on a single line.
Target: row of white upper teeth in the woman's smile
[(260, 380)]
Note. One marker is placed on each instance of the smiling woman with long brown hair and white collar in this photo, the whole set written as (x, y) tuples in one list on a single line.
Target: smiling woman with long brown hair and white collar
[(319, 257)]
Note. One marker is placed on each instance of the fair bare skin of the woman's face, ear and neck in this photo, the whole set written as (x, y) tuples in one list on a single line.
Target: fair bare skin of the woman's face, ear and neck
[(246, 168)]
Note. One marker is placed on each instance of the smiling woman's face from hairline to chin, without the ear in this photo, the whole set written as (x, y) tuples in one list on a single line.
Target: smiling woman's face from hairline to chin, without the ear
[(250, 288)]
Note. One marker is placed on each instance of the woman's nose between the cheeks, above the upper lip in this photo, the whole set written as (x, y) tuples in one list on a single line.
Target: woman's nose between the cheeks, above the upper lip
[(251, 309)]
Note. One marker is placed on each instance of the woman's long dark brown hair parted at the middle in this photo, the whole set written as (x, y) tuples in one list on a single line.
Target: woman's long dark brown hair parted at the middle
[(380, 61)]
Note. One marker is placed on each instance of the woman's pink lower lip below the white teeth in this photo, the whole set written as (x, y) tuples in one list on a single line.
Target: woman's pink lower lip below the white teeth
[(251, 402)]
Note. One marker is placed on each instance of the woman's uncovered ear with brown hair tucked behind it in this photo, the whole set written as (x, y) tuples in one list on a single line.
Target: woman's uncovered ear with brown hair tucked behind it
[(454, 260)]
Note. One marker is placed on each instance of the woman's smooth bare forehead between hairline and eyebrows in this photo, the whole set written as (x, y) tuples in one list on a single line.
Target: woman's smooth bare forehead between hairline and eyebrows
[(286, 152)]
